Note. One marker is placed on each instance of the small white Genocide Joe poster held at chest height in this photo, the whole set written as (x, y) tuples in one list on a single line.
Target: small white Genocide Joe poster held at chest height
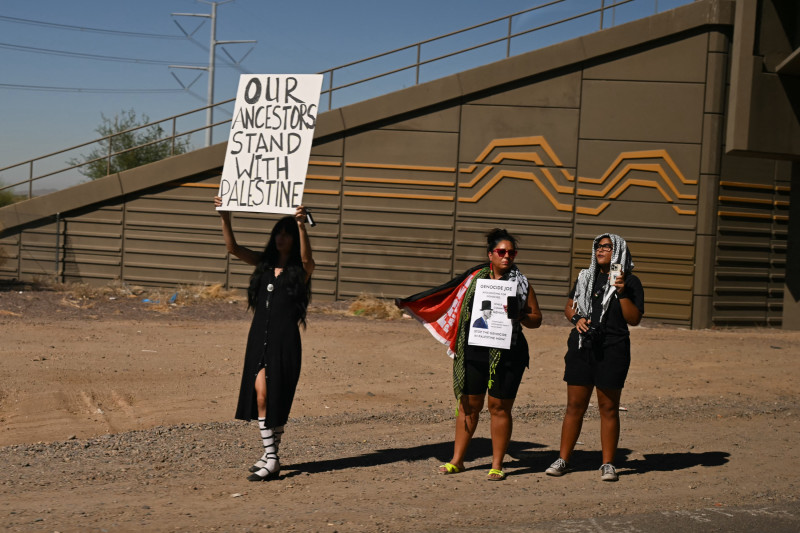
[(489, 322)]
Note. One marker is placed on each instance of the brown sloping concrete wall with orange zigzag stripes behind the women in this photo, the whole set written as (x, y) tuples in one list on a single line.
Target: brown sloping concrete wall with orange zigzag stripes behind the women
[(620, 131)]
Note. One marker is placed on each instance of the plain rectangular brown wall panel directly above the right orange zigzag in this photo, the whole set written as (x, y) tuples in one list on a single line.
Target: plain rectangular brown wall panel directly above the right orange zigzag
[(646, 111)]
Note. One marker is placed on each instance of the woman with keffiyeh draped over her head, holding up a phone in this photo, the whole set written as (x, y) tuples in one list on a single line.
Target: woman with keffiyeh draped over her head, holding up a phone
[(599, 348)]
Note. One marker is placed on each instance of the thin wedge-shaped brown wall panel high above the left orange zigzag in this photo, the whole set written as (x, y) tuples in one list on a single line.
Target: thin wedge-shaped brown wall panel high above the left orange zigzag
[(560, 91)]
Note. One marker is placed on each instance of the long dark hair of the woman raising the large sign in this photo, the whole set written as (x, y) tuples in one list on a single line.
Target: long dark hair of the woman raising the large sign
[(293, 275)]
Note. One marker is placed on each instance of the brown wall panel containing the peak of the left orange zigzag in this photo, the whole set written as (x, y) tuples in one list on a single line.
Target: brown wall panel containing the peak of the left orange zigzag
[(555, 128)]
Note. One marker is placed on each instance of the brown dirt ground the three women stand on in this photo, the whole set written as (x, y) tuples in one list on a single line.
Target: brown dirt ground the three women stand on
[(118, 417)]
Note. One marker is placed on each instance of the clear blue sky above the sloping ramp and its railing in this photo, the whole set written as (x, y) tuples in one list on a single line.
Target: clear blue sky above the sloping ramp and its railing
[(67, 62)]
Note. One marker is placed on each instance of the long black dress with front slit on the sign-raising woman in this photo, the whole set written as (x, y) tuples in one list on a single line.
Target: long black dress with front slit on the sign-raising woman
[(274, 344)]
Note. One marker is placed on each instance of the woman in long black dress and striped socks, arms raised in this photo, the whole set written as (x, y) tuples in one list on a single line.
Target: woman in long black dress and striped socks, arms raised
[(279, 293)]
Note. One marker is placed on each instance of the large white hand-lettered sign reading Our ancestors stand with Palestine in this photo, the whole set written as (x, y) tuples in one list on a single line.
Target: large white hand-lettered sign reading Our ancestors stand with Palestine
[(270, 142)]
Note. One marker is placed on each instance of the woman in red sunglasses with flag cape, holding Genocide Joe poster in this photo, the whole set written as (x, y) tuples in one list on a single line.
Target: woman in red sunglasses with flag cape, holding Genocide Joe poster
[(480, 364)]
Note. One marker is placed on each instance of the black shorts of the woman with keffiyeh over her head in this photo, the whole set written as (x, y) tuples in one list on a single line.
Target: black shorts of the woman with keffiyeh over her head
[(604, 368)]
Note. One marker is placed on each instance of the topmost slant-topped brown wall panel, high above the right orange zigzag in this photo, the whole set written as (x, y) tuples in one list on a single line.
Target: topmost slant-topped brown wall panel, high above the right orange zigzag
[(681, 61)]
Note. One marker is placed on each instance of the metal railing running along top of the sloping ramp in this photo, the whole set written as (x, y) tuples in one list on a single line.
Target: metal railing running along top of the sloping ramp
[(544, 24)]
